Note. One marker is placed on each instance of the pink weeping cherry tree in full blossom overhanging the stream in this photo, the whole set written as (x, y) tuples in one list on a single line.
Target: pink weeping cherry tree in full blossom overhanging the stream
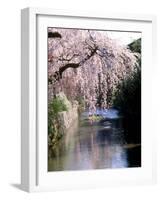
[(86, 64)]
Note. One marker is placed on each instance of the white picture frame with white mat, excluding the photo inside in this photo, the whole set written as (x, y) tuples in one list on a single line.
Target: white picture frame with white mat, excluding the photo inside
[(34, 176)]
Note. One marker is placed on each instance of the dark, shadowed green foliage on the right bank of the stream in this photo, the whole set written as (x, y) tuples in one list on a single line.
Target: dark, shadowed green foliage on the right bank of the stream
[(128, 100)]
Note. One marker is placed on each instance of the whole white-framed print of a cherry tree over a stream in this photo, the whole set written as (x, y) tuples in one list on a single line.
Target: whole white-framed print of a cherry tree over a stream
[(86, 99)]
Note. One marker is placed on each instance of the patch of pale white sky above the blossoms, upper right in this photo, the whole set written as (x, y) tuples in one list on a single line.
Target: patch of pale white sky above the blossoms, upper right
[(123, 38)]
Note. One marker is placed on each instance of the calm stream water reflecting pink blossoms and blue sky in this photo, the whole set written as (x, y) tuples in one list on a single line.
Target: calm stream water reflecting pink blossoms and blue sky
[(95, 145)]
